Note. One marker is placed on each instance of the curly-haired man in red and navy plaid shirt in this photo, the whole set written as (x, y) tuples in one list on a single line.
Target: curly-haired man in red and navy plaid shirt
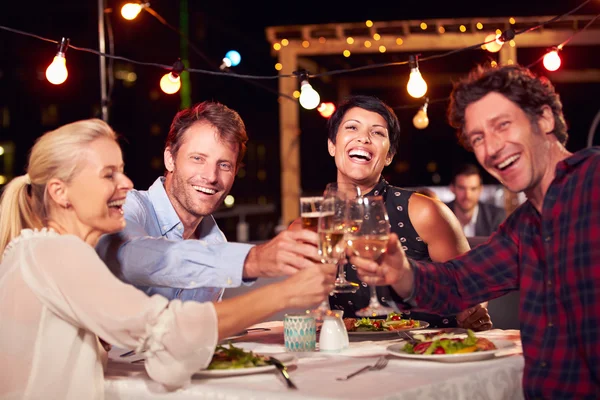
[(548, 249)]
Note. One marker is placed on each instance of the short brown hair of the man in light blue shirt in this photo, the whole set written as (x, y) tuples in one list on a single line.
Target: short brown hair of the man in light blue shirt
[(228, 123)]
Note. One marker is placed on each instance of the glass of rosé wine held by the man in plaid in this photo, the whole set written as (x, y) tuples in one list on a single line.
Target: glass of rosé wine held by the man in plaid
[(369, 240)]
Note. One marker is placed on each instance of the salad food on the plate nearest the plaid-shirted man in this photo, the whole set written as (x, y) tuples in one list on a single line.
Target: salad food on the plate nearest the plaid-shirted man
[(448, 343)]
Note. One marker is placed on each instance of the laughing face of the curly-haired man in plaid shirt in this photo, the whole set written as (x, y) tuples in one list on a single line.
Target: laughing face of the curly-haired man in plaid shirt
[(507, 144)]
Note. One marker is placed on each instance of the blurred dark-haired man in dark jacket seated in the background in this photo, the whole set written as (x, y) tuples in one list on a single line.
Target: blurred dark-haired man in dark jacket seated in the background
[(476, 217)]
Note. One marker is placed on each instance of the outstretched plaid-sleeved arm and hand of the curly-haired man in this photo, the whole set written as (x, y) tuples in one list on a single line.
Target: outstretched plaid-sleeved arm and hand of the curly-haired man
[(484, 273)]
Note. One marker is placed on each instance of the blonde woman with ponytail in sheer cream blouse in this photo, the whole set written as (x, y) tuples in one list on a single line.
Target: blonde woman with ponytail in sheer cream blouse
[(57, 297)]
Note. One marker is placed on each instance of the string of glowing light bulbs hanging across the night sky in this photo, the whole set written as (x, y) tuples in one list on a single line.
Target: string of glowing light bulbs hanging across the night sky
[(309, 98)]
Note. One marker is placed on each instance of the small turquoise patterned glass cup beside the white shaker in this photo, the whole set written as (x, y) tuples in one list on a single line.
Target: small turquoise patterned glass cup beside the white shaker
[(299, 332)]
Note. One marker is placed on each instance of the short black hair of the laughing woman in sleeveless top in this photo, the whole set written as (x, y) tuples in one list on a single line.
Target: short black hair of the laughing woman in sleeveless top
[(369, 103)]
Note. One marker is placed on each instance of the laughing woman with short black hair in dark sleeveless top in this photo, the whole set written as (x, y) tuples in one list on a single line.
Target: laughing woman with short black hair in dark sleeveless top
[(363, 139)]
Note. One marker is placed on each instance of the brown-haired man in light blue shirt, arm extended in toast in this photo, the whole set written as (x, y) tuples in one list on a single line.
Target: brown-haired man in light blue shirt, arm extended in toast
[(171, 244)]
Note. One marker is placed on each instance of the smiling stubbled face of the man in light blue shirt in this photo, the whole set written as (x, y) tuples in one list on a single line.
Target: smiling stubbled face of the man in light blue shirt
[(201, 174)]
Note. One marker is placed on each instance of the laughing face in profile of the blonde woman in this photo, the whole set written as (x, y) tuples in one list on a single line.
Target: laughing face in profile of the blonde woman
[(97, 192)]
